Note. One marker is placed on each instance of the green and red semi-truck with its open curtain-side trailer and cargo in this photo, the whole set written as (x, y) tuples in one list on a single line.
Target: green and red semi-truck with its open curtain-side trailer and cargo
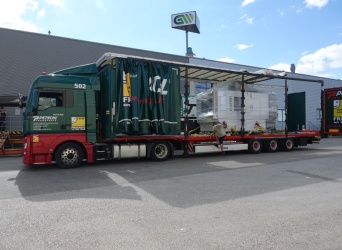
[(130, 107)]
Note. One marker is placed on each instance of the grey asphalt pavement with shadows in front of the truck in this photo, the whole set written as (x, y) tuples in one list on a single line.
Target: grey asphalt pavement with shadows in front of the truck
[(283, 200)]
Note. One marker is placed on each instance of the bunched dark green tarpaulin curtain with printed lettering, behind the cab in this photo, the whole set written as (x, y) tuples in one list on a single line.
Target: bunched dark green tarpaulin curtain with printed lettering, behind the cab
[(147, 98)]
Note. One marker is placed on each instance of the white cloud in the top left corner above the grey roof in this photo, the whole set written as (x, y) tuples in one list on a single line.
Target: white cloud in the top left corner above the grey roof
[(11, 12)]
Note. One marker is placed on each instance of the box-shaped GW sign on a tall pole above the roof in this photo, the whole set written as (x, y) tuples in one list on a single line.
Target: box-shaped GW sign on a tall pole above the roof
[(186, 21)]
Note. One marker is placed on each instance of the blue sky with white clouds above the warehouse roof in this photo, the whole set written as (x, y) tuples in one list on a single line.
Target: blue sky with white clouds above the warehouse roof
[(262, 33)]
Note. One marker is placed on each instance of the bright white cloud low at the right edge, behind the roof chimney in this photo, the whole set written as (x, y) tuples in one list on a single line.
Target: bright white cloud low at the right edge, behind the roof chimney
[(319, 63)]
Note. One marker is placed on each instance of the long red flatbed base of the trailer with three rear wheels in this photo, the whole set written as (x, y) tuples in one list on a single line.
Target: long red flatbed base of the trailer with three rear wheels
[(253, 143)]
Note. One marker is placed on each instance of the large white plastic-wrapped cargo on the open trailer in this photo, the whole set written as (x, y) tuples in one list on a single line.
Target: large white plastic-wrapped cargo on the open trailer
[(223, 103)]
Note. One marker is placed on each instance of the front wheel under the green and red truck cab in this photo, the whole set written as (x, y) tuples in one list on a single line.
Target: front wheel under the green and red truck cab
[(69, 155)]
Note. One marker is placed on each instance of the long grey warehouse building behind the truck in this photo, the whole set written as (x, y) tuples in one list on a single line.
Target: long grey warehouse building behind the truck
[(25, 55)]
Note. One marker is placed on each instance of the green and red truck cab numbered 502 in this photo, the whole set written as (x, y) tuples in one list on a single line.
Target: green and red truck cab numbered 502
[(60, 107)]
